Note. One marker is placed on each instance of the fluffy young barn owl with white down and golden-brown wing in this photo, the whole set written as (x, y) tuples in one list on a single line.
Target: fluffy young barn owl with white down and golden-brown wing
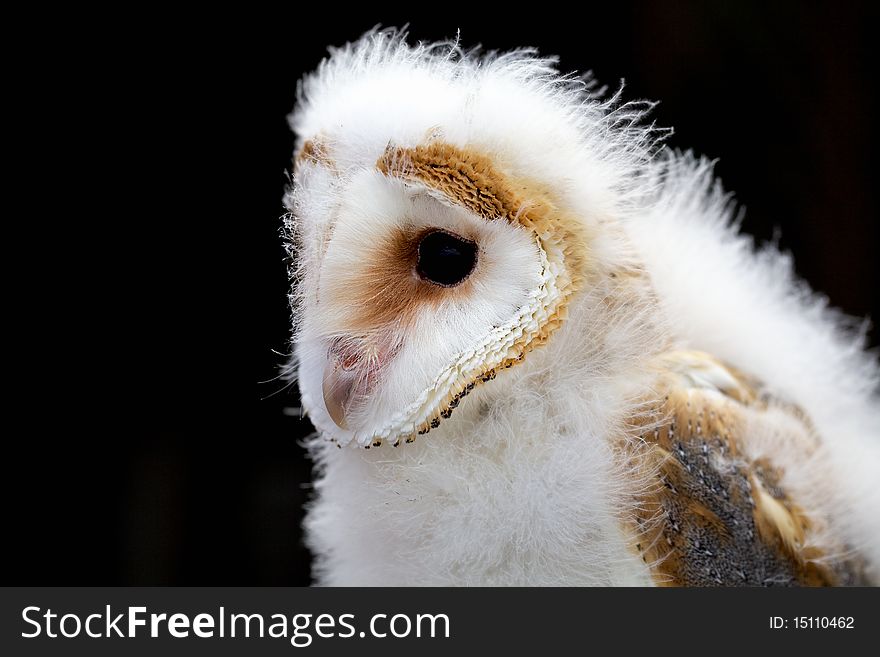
[(537, 351)]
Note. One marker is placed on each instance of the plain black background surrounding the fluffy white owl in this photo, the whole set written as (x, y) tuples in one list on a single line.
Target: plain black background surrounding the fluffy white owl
[(153, 292)]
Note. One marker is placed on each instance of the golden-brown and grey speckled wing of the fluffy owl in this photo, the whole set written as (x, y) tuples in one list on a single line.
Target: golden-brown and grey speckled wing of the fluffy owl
[(715, 511)]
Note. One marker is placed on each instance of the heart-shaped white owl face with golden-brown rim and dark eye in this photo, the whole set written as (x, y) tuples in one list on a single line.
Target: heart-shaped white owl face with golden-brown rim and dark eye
[(422, 274)]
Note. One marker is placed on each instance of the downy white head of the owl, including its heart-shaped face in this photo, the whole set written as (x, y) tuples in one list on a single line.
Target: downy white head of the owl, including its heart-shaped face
[(446, 211)]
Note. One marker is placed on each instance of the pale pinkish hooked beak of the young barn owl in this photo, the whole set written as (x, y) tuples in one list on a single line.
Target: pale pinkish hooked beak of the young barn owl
[(352, 372)]
